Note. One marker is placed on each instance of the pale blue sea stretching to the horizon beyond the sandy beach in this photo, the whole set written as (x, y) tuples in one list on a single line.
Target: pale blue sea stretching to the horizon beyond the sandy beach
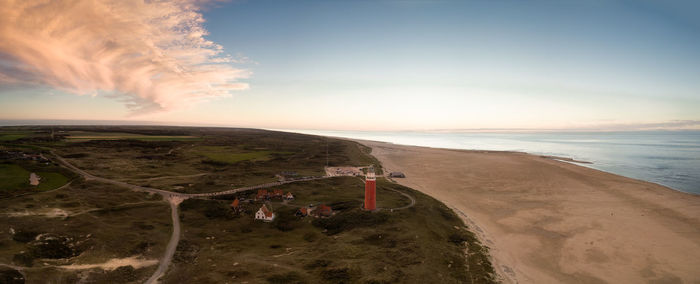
[(669, 158)]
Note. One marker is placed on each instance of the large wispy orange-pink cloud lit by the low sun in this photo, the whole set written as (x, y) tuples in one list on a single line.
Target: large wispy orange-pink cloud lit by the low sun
[(150, 54)]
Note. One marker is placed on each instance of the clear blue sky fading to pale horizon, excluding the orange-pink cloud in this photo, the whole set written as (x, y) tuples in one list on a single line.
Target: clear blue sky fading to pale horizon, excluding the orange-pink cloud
[(434, 65)]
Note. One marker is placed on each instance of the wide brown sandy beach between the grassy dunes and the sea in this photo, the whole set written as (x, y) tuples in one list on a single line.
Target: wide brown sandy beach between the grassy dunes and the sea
[(548, 221)]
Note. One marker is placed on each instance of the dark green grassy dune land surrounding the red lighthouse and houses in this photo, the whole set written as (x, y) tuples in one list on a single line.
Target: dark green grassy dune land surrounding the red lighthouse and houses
[(119, 208)]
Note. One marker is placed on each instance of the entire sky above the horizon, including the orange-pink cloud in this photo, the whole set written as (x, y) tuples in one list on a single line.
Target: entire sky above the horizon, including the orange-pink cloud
[(355, 65)]
